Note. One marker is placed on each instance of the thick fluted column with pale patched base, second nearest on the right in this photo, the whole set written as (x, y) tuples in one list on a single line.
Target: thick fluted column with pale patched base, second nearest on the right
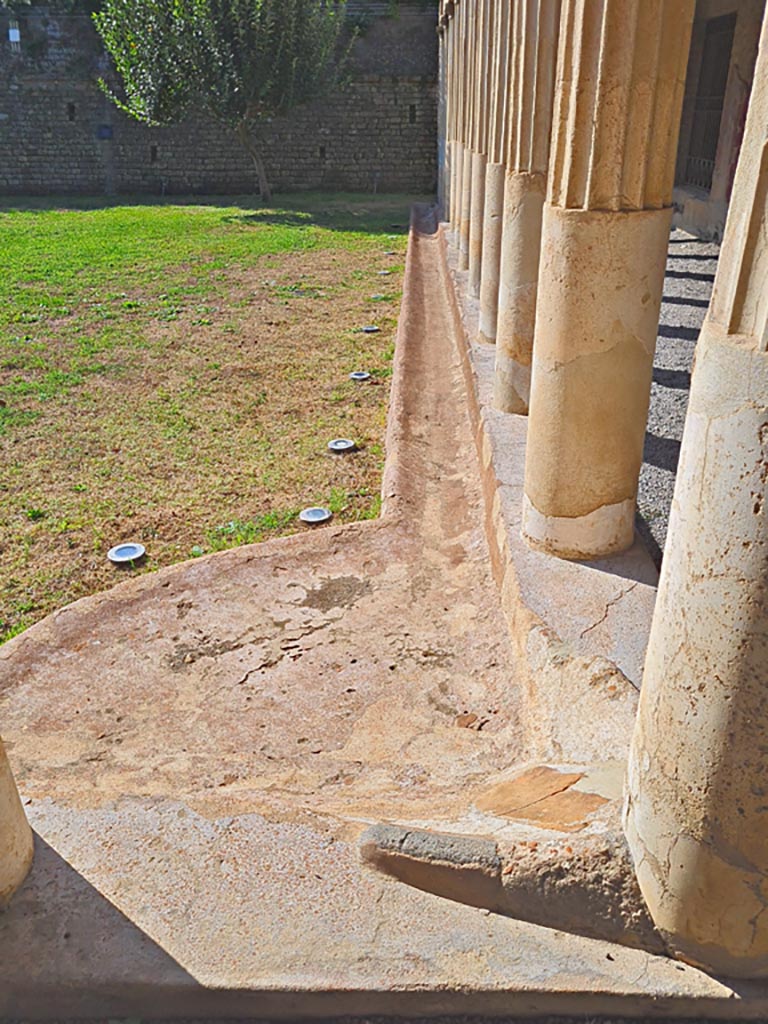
[(620, 88)]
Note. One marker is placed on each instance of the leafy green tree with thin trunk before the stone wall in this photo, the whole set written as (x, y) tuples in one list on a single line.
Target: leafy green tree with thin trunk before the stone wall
[(243, 62)]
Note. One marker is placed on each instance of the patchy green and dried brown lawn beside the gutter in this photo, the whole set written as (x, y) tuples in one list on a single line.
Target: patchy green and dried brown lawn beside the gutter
[(172, 373)]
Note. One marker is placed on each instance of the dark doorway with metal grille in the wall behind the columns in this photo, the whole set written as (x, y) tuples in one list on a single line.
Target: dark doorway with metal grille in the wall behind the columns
[(708, 109)]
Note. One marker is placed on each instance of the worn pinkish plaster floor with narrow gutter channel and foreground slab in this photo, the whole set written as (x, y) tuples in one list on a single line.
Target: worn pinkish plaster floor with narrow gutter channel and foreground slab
[(199, 751)]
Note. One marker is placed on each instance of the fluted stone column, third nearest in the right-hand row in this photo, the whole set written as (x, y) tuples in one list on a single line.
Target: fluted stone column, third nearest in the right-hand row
[(536, 33)]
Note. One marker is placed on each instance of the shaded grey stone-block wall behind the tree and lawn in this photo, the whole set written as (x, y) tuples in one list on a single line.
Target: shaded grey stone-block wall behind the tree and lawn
[(59, 134)]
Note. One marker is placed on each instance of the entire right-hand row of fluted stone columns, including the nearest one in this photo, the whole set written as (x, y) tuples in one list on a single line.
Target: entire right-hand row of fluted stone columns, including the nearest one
[(591, 96)]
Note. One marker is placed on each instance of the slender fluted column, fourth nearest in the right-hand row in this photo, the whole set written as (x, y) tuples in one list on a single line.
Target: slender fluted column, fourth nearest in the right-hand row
[(495, 173)]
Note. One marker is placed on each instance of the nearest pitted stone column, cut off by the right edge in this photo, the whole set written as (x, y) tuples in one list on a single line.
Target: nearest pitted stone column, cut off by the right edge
[(697, 813)]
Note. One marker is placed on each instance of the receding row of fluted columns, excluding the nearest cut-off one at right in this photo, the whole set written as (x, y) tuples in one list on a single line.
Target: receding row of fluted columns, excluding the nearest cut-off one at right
[(573, 253)]
